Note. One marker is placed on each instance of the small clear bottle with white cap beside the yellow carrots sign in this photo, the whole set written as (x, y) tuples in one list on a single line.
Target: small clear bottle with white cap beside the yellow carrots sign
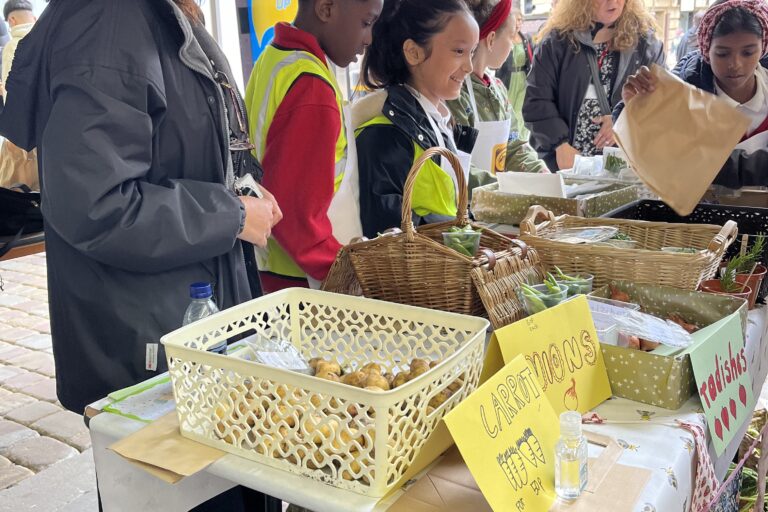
[(570, 457)]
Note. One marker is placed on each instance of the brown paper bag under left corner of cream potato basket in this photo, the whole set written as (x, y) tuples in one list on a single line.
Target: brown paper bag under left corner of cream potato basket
[(160, 450)]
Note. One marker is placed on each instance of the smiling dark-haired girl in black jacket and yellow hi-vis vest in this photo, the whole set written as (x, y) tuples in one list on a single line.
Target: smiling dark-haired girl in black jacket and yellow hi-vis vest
[(420, 55)]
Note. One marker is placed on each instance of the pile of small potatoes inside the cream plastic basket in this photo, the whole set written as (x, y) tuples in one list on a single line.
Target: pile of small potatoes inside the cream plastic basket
[(288, 417)]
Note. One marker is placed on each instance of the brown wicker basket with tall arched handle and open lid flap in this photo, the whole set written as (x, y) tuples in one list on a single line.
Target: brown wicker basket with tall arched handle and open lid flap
[(413, 266)]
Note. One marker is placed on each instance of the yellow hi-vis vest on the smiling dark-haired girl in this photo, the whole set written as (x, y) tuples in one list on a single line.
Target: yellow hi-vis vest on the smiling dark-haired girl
[(433, 191)]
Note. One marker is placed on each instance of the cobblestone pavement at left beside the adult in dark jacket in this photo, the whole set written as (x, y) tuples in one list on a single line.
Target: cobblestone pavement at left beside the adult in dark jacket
[(45, 458)]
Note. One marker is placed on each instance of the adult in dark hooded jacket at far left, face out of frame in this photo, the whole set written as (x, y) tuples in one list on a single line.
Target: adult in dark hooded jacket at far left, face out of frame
[(136, 174)]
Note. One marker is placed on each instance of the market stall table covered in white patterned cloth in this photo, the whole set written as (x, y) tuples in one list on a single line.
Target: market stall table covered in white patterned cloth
[(649, 435)]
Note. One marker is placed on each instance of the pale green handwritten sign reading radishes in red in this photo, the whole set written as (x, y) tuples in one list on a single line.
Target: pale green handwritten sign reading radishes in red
[(722, 379)]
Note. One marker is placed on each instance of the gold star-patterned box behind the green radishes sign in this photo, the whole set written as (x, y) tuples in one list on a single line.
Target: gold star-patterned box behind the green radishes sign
[(664, 377)]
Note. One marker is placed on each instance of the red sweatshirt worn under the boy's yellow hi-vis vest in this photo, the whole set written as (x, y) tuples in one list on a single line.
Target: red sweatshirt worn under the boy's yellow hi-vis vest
[(300, 161)]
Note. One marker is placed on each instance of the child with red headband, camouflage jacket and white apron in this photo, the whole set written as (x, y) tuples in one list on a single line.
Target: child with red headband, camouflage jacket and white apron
[(483, 102)]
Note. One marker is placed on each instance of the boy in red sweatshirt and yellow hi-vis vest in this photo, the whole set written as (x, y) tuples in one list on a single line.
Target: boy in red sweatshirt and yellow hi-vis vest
[(296, 114)]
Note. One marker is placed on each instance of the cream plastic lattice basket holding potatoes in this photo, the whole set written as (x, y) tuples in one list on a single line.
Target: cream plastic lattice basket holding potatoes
[(346, 437)]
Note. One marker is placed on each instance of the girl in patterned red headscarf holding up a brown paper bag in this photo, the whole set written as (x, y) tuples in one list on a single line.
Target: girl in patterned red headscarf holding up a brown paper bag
[(733, 36)]
